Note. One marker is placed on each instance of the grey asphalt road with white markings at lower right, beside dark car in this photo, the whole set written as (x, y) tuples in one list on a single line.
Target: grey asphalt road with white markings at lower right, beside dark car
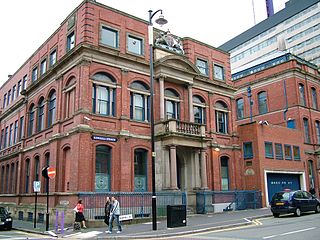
[(286, 227)]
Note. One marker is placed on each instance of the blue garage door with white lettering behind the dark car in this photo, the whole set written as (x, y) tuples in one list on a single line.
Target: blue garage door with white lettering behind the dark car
[(278, 182)]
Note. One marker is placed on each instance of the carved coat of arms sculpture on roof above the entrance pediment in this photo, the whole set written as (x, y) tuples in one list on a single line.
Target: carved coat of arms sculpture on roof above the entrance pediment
[(168, 41)]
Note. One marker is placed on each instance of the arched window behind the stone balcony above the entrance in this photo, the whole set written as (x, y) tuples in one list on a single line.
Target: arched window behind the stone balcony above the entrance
[(172, 102)]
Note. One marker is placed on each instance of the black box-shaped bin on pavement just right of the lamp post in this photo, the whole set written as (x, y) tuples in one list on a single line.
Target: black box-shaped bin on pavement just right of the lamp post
[(176, 216)]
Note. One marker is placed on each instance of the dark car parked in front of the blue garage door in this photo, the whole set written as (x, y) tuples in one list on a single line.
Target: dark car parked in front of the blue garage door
[(294, 202)]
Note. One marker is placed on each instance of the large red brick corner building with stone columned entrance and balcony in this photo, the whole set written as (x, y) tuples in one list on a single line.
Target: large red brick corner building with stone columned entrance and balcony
[(81, 104)]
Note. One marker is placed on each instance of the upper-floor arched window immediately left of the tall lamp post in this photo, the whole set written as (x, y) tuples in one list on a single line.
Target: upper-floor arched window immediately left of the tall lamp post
[(139, 101)]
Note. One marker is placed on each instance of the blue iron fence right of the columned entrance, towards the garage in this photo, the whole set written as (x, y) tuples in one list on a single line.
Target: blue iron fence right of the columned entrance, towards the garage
[(215, 201)]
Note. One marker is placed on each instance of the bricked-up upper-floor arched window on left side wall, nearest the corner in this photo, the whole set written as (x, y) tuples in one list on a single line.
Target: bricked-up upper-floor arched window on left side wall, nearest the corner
[(70, 96)]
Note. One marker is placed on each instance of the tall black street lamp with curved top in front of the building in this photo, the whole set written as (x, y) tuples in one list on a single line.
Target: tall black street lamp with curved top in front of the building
[(161, 21)]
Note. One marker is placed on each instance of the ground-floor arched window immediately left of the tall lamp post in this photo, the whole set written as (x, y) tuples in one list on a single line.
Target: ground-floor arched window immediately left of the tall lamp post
[(140, 170)]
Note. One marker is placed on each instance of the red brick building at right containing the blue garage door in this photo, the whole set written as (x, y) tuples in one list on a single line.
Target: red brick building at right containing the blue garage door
[(281, 141)]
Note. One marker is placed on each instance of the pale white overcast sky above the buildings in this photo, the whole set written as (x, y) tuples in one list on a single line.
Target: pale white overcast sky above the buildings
[(25, 25)]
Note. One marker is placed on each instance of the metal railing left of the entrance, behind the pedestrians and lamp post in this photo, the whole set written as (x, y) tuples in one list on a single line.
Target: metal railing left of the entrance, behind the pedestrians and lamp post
[(136, 203)]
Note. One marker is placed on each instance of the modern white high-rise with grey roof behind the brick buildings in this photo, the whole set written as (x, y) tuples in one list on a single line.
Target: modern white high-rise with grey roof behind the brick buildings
[(295, 29)]
